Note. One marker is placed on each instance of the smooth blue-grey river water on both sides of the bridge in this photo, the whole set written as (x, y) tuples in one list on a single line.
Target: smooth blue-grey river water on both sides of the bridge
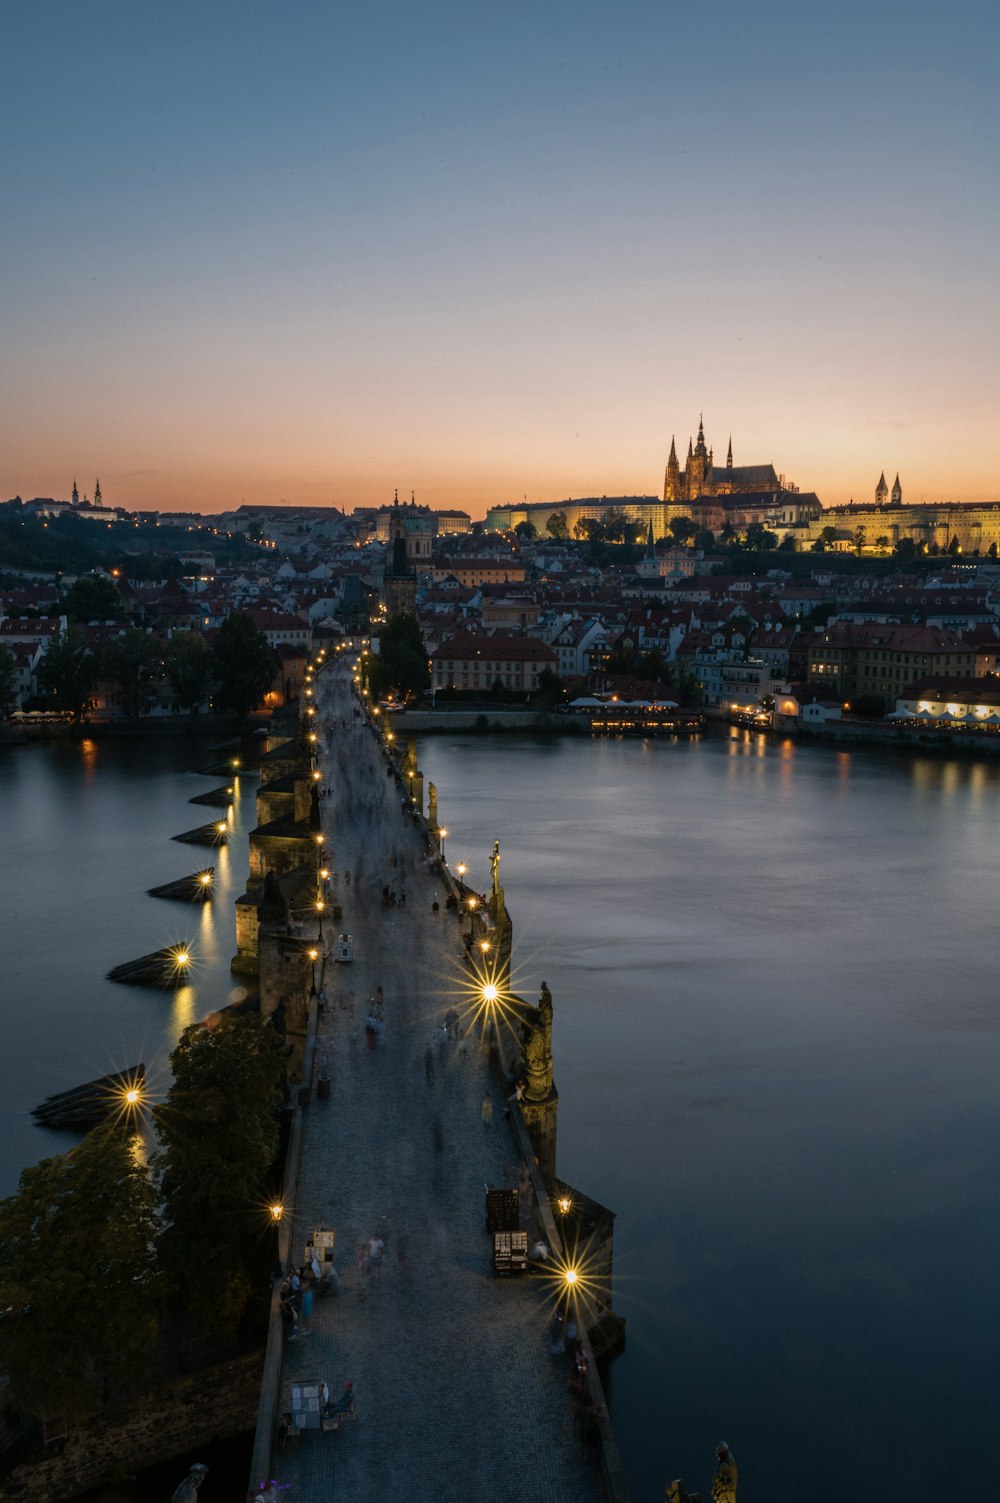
[(777, 1041)]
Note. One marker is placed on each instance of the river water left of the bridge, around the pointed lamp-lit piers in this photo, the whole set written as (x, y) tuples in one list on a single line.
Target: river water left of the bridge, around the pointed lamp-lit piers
[(86, 830)]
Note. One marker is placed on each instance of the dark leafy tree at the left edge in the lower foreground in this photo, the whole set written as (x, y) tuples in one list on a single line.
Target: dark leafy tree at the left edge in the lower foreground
[(77, 1275)]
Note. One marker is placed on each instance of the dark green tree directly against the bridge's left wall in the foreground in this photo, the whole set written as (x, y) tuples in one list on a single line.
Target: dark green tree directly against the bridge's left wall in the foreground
[(219, 1131)]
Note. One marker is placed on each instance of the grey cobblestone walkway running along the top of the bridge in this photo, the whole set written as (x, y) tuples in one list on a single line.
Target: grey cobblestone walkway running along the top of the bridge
[(458, 1394)]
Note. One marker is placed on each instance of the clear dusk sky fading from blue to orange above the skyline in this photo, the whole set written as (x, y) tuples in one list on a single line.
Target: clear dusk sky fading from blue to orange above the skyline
[(312, 253)]
